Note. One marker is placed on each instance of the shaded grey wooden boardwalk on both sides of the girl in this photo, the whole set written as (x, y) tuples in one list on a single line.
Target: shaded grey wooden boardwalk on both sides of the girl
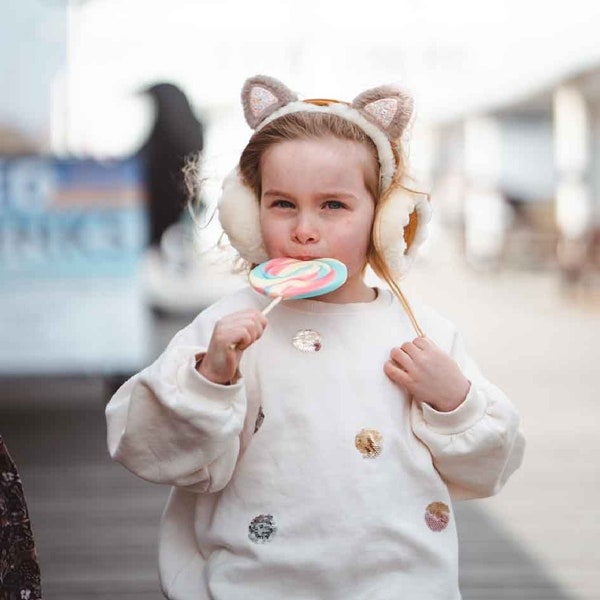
[(95, 524)]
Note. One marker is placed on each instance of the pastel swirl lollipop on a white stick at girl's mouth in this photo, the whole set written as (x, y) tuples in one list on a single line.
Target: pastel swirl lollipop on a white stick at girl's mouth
[(291, 279)]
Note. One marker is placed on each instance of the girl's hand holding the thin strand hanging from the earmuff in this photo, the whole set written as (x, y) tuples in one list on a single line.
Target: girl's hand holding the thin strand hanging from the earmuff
[(428, 374)]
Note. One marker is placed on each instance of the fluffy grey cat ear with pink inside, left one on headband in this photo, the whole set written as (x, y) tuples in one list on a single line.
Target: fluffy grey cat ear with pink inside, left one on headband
[(261, 96)]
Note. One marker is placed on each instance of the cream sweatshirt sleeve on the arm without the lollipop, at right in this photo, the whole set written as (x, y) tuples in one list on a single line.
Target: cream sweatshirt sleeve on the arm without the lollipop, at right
[(477, 446)]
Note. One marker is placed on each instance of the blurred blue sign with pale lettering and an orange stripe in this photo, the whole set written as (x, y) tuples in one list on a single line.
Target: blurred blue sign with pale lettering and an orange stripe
[(71, 218)]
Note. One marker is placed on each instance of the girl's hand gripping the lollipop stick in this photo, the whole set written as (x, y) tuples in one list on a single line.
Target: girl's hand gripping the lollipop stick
[(231, 336)]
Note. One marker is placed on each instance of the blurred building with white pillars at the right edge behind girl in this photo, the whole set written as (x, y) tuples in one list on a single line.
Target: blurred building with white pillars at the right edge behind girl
[(521, 179)]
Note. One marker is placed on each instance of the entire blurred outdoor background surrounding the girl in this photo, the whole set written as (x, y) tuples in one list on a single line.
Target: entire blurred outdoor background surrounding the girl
[(101, 262)]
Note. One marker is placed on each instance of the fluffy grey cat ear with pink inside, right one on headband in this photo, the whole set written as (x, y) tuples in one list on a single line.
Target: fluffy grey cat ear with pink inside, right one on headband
[(388, 107)]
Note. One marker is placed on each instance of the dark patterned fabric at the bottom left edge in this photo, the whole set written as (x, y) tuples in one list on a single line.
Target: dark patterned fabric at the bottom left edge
[(19, 570)]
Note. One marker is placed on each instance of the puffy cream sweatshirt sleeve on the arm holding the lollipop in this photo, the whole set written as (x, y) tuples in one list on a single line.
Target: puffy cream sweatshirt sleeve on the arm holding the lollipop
[(168, 424)]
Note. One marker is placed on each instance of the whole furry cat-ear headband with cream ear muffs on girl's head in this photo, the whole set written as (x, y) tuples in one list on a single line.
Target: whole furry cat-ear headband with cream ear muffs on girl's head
[(383, 113)]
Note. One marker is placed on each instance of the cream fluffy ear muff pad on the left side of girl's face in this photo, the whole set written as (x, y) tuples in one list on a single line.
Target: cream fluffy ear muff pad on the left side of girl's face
[(239, 215)]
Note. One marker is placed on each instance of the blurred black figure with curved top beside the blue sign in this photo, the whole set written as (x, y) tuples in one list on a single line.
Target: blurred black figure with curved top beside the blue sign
[(177, 133)]
